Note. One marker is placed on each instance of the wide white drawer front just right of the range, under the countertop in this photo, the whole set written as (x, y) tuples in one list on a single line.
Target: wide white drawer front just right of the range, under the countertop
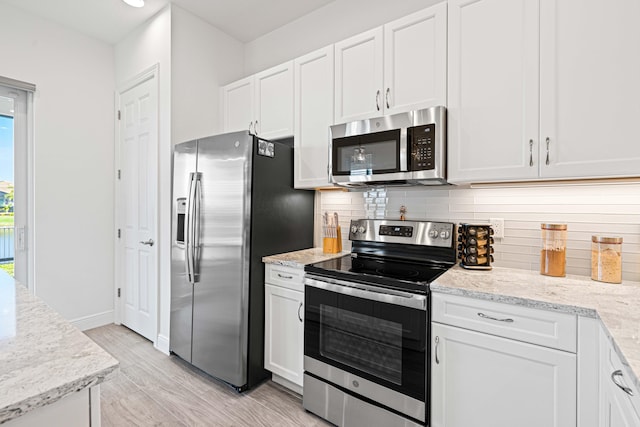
[(547, 328)]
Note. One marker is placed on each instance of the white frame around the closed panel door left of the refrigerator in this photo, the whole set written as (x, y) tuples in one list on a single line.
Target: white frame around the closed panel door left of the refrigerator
[(148, 74)]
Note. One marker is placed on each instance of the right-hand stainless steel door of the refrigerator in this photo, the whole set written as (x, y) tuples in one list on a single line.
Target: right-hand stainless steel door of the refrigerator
[(220, 299)]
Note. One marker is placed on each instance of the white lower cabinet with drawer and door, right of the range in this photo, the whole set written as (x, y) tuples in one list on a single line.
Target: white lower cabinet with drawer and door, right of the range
[(481, 379)]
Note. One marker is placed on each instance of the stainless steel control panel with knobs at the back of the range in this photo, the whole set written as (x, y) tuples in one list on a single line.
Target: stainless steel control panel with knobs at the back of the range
[(425, 233)]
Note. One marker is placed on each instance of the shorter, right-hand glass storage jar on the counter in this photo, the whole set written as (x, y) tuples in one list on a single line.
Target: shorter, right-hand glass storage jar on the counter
[(606, 259)]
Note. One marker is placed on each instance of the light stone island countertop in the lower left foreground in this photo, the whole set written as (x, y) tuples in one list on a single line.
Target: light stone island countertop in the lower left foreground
[(42, 356)]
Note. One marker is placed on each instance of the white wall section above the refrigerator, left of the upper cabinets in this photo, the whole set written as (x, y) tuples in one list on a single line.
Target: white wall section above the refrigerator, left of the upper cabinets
[(202, 59)]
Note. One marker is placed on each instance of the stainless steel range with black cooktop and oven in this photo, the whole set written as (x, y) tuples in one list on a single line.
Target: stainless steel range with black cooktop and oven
[(366, 348)]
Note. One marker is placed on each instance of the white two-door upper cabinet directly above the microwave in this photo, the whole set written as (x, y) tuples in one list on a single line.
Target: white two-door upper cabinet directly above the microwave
[(395, 68)]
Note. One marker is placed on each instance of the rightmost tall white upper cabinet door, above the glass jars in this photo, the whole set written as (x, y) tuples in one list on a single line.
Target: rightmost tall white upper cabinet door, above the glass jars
[(590, 88)]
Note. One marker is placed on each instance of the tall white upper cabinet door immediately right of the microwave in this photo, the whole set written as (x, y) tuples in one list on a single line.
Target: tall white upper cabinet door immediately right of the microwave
[(493, 90)]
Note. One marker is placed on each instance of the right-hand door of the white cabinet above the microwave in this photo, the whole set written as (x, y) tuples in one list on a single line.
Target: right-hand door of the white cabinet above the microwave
[(415, 61)]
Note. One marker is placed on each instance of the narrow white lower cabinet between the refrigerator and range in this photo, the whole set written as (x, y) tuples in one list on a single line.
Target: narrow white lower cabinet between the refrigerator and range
[(284, 325)]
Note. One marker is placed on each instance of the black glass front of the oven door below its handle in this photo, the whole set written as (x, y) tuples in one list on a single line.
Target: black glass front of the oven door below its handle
[(378, 341)]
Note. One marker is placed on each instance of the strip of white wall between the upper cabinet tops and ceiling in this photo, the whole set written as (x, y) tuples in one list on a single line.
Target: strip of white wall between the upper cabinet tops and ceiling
[(336, 21)]
